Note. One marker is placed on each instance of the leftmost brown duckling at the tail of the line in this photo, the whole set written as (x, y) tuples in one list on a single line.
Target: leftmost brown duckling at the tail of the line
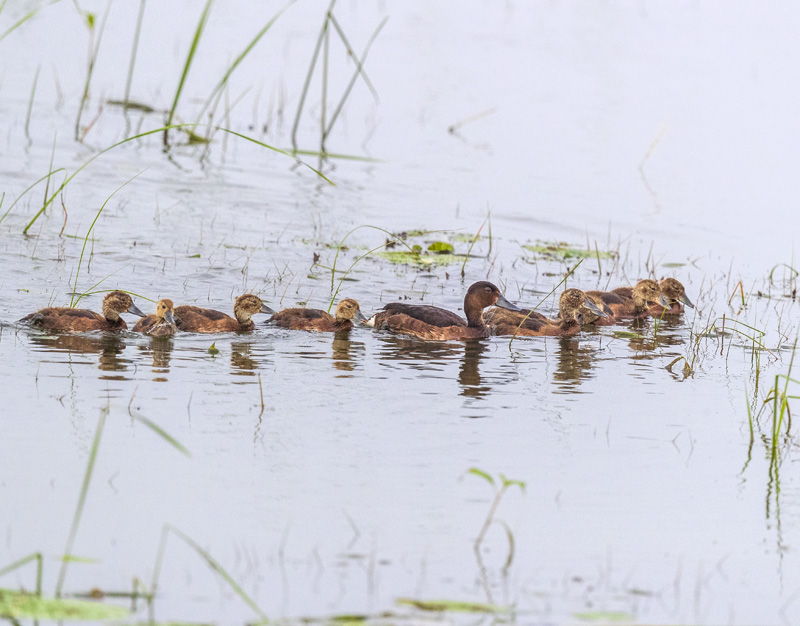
[(83, 320)]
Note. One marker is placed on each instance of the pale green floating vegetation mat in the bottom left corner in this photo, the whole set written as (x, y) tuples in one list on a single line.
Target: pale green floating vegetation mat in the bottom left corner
[(18, 604)]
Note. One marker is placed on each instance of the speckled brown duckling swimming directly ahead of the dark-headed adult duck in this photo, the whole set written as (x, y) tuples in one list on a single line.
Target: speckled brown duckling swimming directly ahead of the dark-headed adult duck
[(571, 304)]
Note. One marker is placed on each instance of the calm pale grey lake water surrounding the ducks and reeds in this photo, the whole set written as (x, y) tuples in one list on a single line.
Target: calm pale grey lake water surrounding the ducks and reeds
[(329, 475)]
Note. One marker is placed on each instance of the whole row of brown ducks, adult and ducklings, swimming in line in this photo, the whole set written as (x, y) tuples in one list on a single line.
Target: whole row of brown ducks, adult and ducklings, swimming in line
[(426, 322)]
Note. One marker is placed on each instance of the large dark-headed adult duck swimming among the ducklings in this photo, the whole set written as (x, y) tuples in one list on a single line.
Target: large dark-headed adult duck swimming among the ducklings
[(433, 323)]
